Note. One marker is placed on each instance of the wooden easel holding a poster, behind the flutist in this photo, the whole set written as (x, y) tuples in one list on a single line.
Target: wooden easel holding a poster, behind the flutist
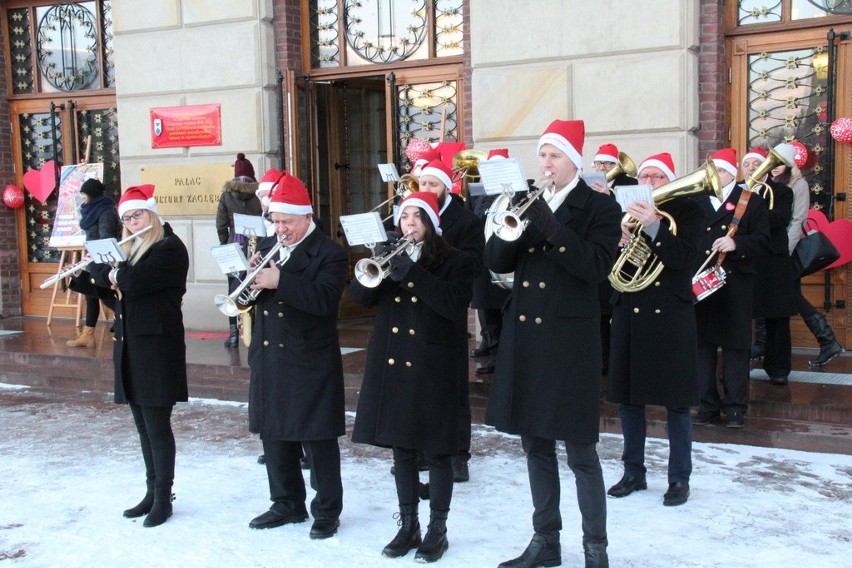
[(67, 236)]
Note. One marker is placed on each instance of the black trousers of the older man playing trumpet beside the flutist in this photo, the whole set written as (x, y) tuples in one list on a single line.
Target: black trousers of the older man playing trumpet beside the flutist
[(287, 486)]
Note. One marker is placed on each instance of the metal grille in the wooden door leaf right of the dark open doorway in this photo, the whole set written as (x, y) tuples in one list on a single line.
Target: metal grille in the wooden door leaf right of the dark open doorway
[(423, 109)]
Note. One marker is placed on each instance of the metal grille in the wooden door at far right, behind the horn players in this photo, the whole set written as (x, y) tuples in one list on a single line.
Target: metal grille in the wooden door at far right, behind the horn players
[(787, 102)]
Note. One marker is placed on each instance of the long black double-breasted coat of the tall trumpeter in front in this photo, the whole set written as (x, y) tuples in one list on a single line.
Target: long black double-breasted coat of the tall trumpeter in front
[(547, 378)]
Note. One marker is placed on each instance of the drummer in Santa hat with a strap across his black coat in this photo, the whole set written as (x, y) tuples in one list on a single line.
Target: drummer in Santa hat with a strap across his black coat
[(724, 317)]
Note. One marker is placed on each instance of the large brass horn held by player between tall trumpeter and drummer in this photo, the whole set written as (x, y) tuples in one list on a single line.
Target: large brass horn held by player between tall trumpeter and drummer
[(637, 266)]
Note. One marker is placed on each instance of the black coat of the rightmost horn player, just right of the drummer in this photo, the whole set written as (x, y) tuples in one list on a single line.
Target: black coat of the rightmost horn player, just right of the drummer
[(775, 289)]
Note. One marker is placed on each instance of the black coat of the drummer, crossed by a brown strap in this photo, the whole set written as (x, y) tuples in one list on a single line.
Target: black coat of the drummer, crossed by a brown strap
[(724, 317)]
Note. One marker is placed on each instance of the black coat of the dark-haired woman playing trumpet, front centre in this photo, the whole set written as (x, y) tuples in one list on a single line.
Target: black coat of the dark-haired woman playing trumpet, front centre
[(410, 393)]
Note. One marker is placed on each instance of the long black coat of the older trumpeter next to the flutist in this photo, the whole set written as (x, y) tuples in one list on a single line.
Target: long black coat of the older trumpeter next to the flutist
[(296, 387)]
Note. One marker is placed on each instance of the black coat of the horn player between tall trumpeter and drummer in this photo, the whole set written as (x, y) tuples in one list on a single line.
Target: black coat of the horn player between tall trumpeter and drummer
[(653, 339)]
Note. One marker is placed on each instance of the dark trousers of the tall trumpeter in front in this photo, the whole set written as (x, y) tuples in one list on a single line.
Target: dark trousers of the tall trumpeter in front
[(543, 470)]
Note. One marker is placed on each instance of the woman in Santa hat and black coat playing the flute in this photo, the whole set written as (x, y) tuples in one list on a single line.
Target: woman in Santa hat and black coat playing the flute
[(149, 350)]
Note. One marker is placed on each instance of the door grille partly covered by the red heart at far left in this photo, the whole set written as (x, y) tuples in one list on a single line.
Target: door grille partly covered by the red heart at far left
[(36, 149)]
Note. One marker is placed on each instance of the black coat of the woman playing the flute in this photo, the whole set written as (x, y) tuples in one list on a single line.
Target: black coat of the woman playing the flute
[(149, 350)]
